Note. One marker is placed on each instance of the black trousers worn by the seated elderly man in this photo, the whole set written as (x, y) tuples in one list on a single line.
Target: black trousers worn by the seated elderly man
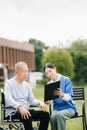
[(43, 117)]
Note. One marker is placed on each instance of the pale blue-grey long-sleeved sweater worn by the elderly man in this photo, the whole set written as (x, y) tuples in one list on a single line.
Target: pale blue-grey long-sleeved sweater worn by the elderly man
[(17, 94)]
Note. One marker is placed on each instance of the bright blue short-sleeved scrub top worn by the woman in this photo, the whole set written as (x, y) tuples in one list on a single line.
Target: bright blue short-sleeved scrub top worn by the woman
[(66, 87)]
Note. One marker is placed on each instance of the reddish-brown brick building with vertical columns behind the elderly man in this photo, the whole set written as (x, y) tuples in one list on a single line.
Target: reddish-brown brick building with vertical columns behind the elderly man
[(13, 51)]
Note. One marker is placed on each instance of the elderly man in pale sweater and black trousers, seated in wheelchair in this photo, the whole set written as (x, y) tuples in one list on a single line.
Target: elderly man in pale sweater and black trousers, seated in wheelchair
[(18, 94)]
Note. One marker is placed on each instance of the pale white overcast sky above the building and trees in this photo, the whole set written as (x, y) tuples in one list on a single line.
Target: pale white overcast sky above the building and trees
[(53, 22)]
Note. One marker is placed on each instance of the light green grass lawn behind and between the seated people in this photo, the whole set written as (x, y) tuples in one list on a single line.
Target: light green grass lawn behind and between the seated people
[(72, 124)]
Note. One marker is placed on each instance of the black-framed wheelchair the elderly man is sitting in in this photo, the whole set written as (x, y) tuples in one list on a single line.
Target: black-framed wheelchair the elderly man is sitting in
[(12, 124)]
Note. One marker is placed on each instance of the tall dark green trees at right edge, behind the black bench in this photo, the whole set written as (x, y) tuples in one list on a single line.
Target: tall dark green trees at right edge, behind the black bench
[(78, 50)]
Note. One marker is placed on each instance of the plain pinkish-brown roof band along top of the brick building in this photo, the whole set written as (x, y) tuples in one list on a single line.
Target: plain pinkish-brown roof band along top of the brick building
[(16, 45)]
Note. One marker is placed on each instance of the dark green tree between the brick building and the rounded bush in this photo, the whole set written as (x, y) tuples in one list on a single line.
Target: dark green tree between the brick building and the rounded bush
[(39, 49)]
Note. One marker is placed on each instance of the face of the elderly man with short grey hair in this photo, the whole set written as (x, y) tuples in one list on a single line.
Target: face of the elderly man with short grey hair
[(22, 73)]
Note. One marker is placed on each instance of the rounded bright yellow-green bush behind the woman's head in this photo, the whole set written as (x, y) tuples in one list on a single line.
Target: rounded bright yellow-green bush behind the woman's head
[(61, 59)]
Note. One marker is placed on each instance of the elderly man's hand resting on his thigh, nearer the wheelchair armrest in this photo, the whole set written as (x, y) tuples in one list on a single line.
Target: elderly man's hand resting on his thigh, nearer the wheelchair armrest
[(24, 112)]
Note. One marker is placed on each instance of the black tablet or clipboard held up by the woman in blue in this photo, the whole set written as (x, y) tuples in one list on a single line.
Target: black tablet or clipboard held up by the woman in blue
[(49, 90)]
